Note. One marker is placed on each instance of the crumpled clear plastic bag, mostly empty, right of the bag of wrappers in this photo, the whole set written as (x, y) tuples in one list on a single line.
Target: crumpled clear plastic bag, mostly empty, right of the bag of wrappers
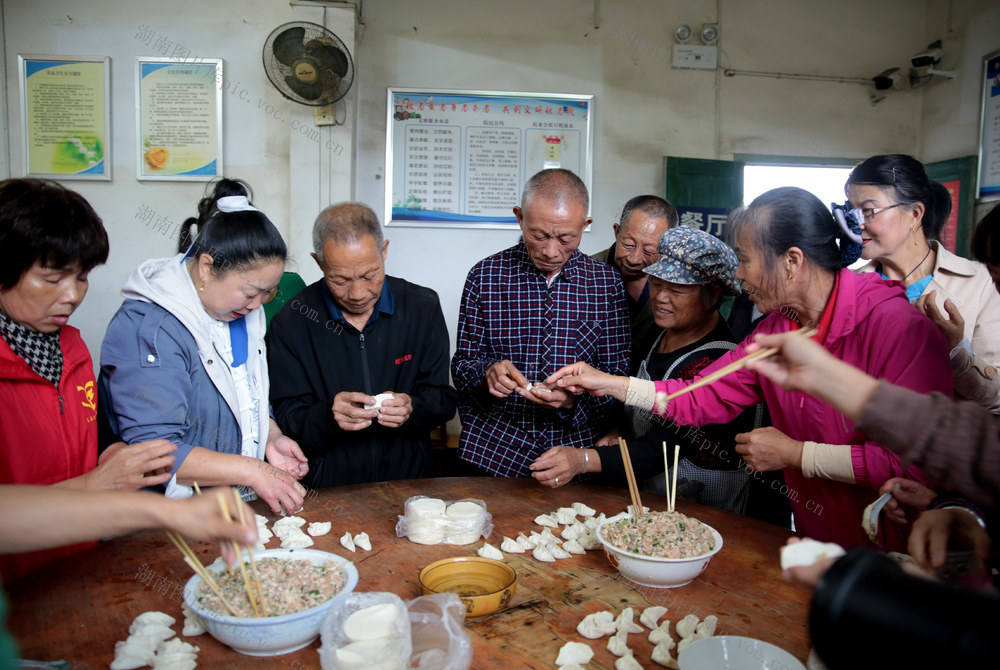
[(439, 640)]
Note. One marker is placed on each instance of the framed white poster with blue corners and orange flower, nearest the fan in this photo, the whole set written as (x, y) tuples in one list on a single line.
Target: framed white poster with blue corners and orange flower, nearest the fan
[(179, 119)]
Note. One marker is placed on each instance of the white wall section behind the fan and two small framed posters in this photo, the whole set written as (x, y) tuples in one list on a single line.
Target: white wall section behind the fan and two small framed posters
[(293, 176)]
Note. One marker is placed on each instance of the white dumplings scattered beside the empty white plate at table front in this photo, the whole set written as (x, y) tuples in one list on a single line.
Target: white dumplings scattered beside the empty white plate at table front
[(573, 655)]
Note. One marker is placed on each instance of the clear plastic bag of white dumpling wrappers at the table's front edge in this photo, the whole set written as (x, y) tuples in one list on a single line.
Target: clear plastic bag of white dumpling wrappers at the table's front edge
[(391, 657)]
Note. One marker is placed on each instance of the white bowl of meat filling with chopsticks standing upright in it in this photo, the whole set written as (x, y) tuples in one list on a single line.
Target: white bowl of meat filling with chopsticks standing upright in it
[(659, 549)]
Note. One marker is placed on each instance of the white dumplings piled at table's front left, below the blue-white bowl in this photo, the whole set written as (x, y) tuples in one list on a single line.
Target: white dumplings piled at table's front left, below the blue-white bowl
[(149, 644)]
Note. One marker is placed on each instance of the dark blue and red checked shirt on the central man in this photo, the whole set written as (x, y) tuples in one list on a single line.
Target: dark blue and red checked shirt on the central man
[(508, 312)]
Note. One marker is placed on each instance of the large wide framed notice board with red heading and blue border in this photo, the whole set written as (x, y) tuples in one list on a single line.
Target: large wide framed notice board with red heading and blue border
[(459, 159)]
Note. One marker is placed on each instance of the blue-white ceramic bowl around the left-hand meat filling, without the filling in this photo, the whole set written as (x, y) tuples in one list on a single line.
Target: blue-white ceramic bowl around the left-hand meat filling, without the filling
[(271, 636)]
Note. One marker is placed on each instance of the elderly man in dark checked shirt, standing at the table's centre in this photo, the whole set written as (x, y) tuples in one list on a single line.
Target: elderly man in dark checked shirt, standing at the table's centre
[(526, 312)]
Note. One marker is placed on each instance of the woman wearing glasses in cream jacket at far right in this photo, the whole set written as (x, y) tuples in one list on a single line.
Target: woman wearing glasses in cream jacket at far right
[(903, 213)]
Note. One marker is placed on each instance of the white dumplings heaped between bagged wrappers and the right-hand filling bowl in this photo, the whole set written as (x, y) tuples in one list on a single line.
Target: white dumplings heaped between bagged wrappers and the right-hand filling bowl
[(577, 537)]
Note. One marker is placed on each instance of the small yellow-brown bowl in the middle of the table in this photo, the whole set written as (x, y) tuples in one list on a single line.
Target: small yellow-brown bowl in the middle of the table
[(484, 585)]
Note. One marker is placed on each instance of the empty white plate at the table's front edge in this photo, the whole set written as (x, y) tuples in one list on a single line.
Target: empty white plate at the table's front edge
[(732, 652)]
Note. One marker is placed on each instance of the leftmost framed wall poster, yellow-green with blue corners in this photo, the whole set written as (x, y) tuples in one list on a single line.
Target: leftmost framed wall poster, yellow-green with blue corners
[(65, 116)]
